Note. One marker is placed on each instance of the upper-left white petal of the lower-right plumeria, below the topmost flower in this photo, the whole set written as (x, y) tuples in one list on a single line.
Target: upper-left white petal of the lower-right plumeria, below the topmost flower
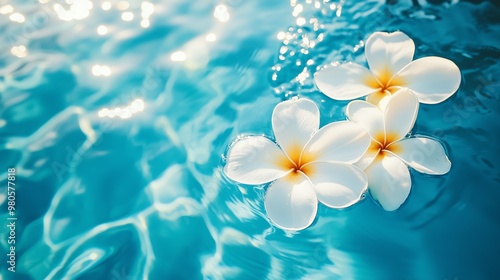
[(367, 115)]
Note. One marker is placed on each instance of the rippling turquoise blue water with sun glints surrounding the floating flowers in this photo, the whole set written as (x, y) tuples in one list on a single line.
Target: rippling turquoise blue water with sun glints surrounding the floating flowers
[(144, 197)]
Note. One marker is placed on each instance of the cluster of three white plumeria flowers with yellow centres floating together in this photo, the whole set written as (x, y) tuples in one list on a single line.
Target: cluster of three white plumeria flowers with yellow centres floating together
[(371, 150)]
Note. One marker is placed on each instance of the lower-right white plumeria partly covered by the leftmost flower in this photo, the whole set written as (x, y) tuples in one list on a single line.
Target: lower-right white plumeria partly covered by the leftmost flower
[(385, 161)]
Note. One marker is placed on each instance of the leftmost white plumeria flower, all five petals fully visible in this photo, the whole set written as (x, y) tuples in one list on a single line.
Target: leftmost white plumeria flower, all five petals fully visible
[(307, 166)]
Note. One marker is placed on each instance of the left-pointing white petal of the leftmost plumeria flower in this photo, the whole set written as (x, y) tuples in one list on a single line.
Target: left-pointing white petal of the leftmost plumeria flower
[(255, 160)]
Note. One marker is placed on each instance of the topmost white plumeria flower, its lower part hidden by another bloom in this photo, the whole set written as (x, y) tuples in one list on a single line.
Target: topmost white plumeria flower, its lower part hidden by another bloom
[(389, 55)]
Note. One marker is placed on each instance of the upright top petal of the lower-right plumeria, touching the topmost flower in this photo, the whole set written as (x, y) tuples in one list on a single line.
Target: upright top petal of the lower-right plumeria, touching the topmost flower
[(400, 115)]
